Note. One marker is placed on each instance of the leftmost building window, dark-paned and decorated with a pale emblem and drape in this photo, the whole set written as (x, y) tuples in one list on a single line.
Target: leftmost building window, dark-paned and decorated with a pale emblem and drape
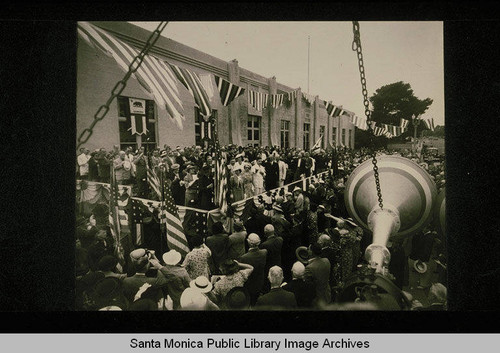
[(136, 123)]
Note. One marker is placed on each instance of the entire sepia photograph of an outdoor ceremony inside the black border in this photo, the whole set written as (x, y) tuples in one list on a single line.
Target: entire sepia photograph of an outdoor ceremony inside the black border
[(251, 166)]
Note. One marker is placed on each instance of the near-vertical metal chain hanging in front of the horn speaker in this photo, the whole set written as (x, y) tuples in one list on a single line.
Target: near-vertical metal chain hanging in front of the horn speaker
[(356, 46)]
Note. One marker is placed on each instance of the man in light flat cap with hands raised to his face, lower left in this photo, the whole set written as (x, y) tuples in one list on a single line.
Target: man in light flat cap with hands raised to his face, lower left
[(142, 261)]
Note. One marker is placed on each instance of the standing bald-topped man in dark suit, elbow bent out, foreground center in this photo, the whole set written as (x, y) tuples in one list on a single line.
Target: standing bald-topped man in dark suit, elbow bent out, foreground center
[(257, 258)]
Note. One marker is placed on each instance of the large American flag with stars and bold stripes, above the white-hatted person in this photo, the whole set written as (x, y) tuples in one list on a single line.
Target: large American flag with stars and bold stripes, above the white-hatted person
[(169, 215)]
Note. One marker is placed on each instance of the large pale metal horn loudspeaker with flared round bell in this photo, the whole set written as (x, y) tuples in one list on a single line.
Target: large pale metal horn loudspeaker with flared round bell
[(408, 194)]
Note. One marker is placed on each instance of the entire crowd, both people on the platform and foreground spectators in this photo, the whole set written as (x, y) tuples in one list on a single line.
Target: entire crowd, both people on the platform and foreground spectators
[(298, 257)]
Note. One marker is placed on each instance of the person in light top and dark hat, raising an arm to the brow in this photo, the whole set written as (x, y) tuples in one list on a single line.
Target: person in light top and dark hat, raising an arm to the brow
[(235, 274)]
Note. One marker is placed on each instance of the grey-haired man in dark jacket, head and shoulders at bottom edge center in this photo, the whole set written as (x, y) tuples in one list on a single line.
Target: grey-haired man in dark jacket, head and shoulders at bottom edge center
[(277, 298)]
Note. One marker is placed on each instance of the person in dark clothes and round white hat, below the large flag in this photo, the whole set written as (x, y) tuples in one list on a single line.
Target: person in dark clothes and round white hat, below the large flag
[(177, 278)]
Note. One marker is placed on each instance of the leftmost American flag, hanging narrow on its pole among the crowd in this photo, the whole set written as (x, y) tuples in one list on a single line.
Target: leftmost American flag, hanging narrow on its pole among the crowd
[(118, 218)]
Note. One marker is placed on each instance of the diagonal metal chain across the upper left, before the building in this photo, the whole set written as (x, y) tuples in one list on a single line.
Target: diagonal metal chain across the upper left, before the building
[(120, 85)]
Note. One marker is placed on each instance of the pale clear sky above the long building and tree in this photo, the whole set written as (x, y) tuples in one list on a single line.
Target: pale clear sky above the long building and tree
[(410, 51)]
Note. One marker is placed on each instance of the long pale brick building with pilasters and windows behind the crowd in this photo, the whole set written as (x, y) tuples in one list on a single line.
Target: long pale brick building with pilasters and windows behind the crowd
[(295, 124)]
